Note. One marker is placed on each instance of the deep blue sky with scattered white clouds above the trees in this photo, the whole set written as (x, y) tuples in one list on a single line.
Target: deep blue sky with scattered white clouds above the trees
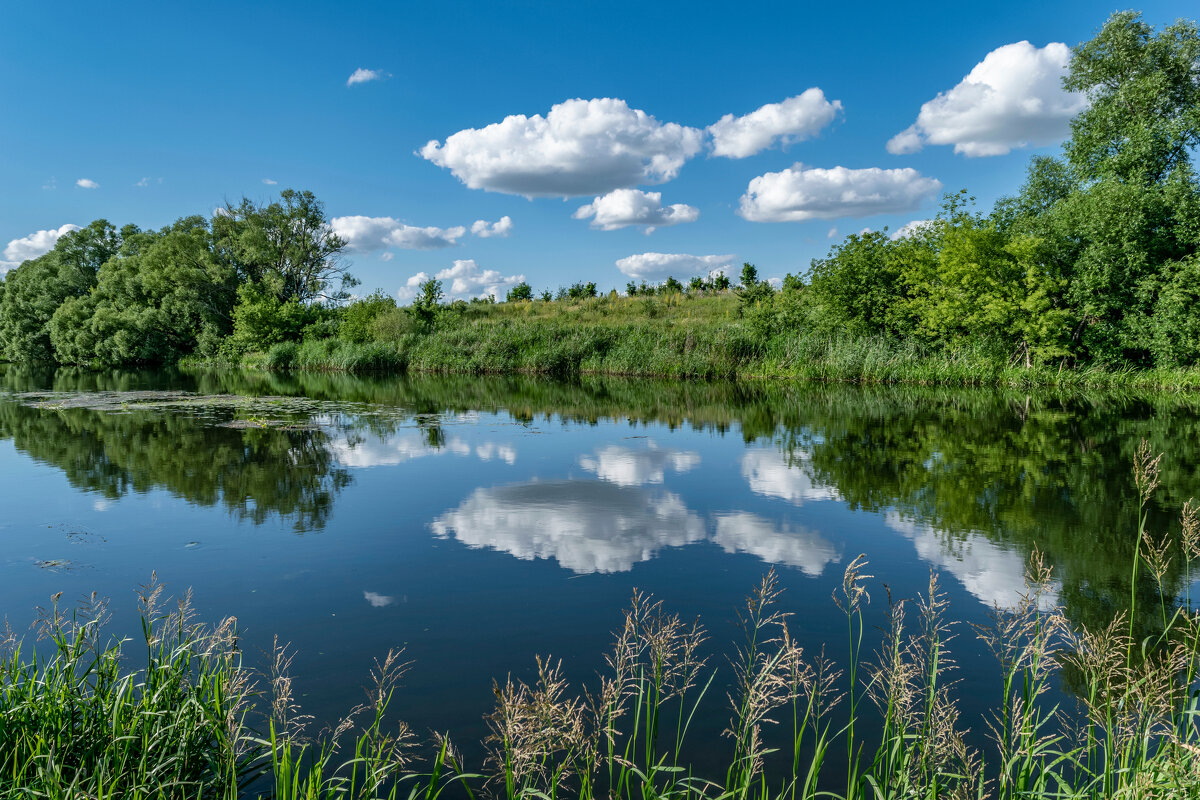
[(488, 143)]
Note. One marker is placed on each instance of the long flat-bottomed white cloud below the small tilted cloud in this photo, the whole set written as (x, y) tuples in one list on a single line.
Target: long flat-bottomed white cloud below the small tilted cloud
[(797, 194)]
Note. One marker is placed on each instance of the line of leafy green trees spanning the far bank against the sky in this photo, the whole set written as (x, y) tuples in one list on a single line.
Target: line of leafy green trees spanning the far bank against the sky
[(1095, 261)]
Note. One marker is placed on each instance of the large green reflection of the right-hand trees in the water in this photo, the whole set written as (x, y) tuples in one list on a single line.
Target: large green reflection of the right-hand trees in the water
[(1052, 473)]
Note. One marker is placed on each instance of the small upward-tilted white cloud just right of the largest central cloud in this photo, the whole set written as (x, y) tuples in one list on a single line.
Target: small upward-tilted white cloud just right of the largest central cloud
[(794, 121)]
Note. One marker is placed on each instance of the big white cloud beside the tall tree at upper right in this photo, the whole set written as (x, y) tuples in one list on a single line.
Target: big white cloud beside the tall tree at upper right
[(1012, 99)]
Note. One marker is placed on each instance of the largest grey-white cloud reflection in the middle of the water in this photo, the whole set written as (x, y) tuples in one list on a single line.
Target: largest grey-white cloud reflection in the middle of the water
[(585, 526)]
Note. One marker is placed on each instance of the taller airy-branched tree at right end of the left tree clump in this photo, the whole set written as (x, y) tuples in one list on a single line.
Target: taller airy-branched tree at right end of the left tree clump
[(287, 246)]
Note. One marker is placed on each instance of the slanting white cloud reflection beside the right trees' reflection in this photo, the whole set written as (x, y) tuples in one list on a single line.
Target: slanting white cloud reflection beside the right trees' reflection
[(993, 574)]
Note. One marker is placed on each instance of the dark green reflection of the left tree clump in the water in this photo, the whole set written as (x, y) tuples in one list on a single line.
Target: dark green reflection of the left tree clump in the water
[(253, 472)]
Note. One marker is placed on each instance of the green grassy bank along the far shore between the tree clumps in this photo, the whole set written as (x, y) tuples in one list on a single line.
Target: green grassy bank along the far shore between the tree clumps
[(682, 336)]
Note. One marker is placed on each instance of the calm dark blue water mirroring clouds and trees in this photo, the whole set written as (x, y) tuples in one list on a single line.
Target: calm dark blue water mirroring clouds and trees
[(479, 522)]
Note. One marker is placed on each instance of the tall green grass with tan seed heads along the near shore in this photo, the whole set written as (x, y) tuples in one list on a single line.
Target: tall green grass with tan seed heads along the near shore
[(74, 724)]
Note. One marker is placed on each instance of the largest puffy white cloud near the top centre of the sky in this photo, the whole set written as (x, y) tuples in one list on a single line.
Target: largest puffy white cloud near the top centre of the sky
[(581, 147)]
